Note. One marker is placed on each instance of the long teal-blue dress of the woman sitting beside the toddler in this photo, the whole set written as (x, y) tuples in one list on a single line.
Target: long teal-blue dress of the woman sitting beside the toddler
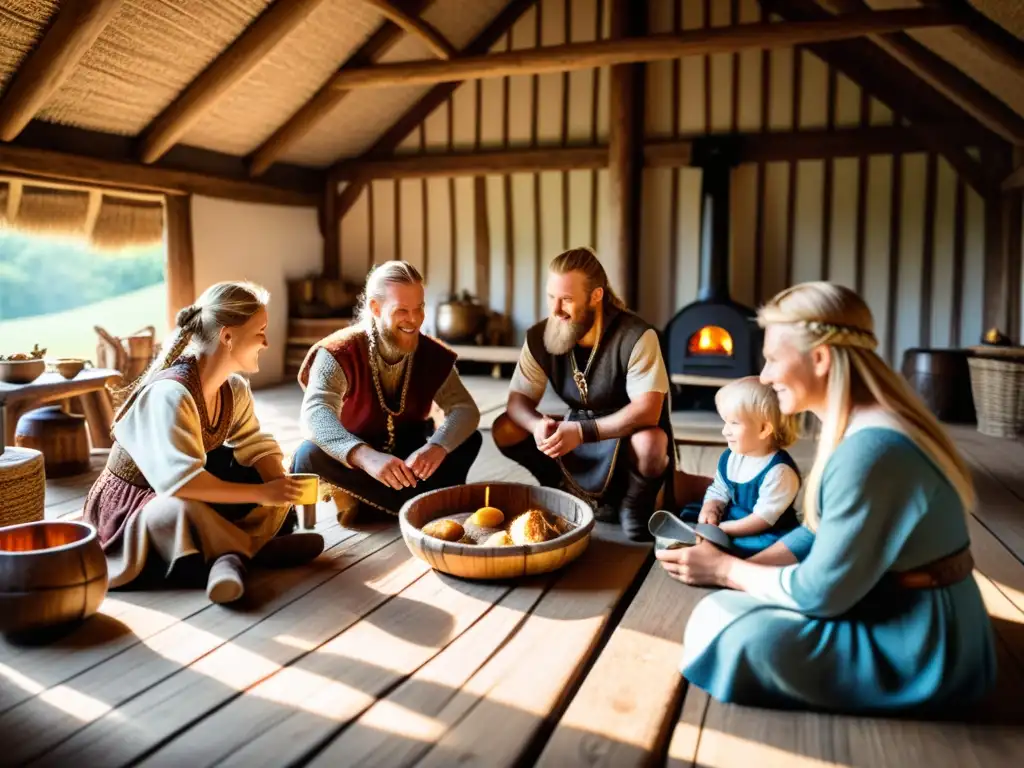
[(827, 633)]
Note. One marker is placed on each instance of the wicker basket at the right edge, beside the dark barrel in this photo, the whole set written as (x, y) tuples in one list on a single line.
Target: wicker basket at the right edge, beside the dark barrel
[(998, 386)]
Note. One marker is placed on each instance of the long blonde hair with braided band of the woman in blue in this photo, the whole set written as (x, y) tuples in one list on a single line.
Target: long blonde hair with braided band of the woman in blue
[(825, 314)]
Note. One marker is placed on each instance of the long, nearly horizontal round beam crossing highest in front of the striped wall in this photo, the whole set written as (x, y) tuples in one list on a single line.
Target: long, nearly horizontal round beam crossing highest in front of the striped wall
[(639, 50)]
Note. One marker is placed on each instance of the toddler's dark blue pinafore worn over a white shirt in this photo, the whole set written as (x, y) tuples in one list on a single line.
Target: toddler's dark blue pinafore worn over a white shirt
[(745, 498)]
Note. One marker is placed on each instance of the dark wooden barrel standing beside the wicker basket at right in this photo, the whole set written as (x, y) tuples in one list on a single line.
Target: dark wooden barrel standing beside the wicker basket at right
[(943, 379)]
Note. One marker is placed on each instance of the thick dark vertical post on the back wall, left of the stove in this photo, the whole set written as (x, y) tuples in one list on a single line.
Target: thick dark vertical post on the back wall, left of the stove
[(626, 114)]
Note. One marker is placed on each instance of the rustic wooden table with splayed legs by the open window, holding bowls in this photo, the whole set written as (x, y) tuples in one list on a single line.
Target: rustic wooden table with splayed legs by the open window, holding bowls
[(90, 386)]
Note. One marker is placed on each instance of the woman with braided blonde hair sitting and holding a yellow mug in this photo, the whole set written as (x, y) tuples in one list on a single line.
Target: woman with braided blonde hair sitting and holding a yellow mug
[(193, 484)]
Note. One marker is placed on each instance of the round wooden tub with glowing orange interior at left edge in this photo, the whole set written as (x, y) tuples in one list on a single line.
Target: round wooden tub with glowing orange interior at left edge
[(52, 573)]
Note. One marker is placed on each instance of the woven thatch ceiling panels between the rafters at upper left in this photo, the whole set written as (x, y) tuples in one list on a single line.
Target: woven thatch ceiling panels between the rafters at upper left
[(152, 50)]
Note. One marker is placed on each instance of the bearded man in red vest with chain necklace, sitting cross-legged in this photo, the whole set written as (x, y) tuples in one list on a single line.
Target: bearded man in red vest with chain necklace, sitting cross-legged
[(368, 395)]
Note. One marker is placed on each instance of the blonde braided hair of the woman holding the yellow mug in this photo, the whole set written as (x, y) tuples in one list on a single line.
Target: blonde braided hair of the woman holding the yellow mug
[(222, 306)]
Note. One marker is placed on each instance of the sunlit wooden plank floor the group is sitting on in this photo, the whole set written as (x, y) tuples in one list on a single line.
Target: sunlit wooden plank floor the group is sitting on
[(368, 658)]
